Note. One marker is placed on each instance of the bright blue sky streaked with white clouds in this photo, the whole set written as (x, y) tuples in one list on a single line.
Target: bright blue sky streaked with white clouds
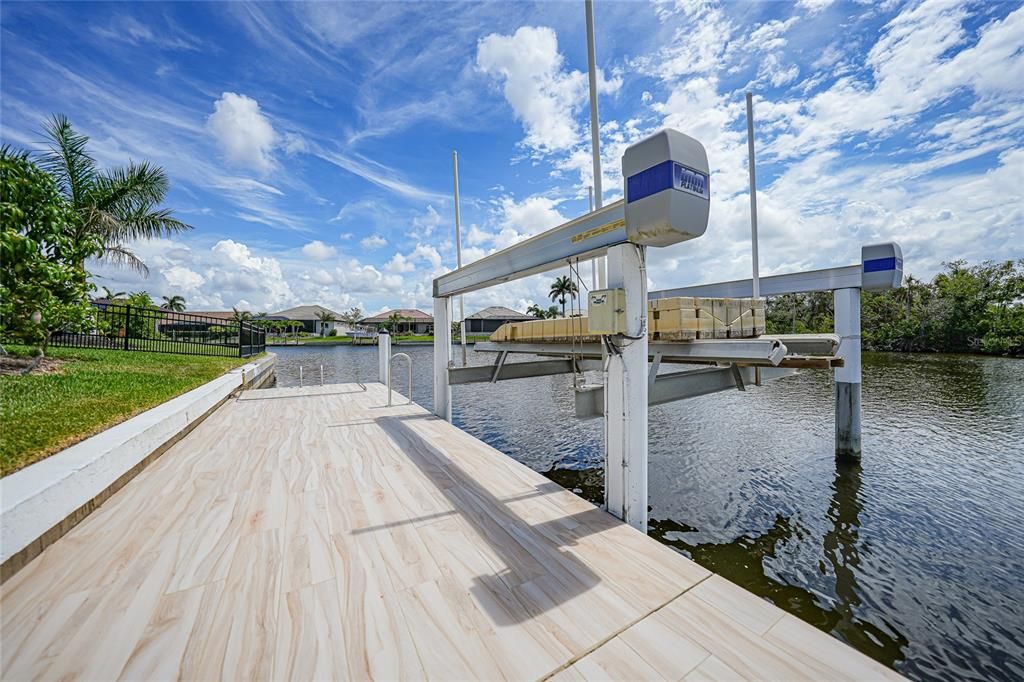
[(310, 145)]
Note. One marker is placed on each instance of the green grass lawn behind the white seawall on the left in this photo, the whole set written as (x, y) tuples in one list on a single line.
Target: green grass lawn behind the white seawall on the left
[(44, 413)]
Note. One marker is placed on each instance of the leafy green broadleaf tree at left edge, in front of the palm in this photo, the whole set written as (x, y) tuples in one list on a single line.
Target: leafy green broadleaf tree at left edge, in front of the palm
[(41, 287)]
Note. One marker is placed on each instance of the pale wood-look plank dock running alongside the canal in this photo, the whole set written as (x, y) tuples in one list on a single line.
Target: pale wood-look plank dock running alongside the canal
[(315, 534)]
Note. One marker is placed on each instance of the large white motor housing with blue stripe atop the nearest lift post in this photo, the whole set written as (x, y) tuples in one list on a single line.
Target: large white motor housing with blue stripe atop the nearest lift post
[(668, 191)]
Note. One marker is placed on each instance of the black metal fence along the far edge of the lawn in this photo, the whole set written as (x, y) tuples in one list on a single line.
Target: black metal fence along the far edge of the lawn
[(159, 331)]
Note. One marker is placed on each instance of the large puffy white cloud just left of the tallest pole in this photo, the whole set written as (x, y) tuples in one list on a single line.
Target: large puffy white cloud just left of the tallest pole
[(543, 96)]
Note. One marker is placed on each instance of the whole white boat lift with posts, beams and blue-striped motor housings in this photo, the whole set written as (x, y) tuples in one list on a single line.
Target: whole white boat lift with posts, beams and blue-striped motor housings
[(667, 202)]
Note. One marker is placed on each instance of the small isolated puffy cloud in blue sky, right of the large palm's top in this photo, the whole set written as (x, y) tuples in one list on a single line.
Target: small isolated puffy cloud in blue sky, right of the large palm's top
[(245, 135)]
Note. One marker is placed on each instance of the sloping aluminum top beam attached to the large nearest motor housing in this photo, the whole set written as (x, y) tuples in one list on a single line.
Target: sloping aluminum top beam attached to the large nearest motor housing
[(587, 237)]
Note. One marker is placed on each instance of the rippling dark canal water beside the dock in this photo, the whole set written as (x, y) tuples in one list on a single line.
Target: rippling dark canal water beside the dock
[(916, 558)]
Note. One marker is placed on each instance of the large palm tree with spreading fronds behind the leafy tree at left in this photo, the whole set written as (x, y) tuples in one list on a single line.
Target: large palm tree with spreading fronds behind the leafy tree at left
[(118, 205)]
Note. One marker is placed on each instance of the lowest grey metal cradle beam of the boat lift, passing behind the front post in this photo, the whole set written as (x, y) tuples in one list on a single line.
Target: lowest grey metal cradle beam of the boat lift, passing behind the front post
[(682, 386)]
